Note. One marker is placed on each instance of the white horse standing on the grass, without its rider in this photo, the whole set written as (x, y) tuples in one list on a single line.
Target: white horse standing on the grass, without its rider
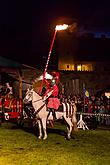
[(41, 113)]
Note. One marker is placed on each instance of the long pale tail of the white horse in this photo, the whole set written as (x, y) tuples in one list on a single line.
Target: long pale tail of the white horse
[(74, 120)]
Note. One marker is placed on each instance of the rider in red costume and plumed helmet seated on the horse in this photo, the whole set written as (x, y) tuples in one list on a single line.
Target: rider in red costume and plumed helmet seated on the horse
[(52, 94)]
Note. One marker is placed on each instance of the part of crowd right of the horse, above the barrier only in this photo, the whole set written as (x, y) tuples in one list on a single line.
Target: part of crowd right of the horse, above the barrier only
[(93, 104)]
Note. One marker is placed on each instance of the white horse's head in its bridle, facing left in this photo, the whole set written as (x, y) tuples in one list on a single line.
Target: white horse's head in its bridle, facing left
[(28, 96)]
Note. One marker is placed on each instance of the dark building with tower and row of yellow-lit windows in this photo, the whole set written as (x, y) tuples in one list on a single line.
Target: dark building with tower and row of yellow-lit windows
[(91, 69)]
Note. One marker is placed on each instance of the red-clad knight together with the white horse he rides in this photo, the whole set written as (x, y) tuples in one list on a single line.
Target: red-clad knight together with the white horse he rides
[(40, 108)]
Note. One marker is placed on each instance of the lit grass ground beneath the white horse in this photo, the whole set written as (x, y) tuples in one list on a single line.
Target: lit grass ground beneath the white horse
[(21, 147)]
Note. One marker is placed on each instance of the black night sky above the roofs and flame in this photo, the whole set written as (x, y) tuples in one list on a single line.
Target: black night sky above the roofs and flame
[(26, 27)]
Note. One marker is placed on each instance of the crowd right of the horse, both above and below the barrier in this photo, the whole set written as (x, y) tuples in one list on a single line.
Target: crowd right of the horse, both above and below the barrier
[(93, 105)]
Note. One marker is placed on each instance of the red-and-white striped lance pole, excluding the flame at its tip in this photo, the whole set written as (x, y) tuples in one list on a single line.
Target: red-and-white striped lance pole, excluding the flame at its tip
[(48, 59)]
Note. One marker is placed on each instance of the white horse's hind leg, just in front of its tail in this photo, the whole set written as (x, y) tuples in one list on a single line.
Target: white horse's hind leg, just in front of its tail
[(69, 127)]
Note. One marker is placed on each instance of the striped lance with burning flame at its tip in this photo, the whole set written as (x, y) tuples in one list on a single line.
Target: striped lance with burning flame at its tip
[(57, 28)]
